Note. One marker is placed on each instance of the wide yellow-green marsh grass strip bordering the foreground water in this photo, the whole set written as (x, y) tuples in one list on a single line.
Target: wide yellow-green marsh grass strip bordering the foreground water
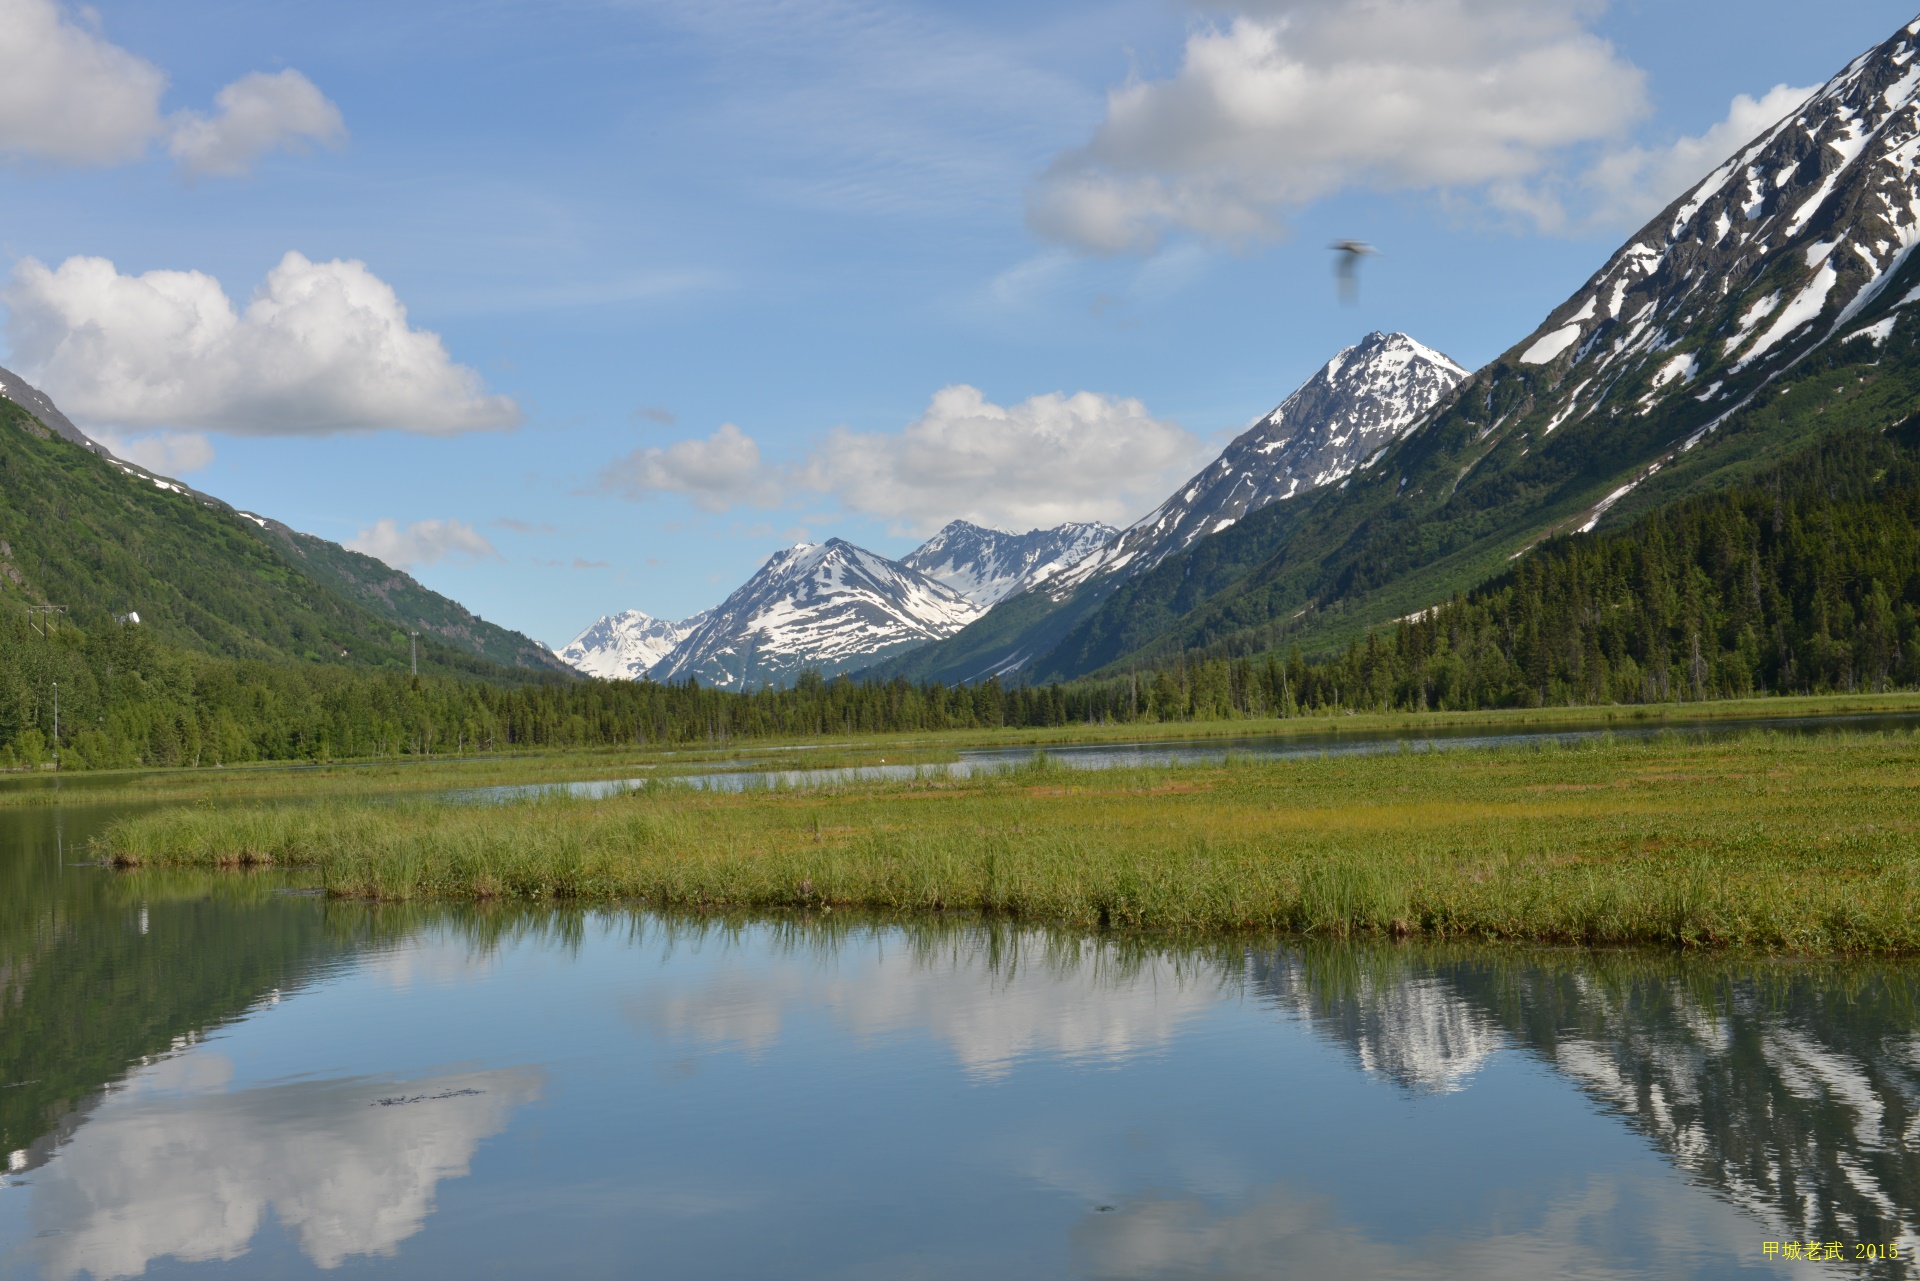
[(1764, 842)]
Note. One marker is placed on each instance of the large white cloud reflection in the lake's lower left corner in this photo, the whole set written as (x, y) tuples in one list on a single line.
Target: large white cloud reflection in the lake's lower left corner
[(174, 1167)]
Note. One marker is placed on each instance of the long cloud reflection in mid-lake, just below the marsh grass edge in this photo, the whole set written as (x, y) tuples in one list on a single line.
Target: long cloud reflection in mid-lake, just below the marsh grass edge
[(1074, 1003)]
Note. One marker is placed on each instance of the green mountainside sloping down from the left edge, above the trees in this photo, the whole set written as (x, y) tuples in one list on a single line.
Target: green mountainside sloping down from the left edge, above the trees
[(103, 537)]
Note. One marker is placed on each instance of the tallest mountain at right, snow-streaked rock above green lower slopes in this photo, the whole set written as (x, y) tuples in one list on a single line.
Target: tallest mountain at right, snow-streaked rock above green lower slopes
[(1765, 308)]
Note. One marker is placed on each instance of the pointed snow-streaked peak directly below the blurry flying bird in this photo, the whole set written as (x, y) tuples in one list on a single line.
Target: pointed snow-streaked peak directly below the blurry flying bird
[(1360, 402)]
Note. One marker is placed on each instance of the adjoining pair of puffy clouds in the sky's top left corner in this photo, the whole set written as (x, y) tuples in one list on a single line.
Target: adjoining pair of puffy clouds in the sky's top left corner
[(70, 95)]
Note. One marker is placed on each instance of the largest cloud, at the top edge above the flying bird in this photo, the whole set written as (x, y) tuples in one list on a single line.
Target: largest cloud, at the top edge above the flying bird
[(1299, 99)]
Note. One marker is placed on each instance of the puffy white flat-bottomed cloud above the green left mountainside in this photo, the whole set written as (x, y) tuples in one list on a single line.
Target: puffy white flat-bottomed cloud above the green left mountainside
[(320, 349)]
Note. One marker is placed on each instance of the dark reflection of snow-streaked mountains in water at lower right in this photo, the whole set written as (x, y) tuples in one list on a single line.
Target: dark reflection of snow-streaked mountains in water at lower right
[(1790, 1092)]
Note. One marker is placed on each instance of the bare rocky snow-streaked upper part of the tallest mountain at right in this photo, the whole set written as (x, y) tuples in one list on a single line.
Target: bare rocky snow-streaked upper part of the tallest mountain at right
[(1798, 243)]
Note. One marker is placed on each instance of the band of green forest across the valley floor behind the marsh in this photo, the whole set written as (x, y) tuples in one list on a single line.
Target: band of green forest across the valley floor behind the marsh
[(1802, 581)]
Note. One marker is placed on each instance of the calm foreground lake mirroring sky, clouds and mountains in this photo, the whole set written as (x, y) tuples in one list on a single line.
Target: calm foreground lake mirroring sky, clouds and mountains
[(220, 1076)]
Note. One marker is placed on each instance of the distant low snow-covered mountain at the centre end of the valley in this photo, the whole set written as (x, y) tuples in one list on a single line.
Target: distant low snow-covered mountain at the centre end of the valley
[(827, 606)]
